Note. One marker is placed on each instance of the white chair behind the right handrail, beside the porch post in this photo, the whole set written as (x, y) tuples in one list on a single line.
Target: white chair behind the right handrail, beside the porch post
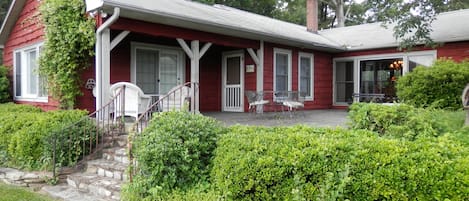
[(176, 99)]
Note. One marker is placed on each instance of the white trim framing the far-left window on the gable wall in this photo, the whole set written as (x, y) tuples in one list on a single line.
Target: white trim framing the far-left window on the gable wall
[(27, 97)]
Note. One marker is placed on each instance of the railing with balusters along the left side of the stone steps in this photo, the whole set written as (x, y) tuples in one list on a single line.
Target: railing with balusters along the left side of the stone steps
[(81, 140)]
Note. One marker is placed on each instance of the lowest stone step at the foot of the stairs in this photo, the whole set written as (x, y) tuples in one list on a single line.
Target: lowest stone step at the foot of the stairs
[(96, 185)]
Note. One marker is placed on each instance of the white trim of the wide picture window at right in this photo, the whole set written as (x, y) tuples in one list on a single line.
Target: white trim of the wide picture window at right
[(356, 67)]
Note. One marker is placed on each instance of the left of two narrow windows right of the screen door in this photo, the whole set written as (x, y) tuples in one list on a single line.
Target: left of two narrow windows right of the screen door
[(282, 69)]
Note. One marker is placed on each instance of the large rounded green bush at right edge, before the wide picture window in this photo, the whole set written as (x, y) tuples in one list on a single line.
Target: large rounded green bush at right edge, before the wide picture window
[(439, 86)]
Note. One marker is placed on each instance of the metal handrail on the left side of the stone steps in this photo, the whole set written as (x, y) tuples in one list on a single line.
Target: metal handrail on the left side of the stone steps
[(104, 125)]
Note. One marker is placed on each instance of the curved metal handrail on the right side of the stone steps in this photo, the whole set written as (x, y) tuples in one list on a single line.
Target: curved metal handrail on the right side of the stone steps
[(156, 107)]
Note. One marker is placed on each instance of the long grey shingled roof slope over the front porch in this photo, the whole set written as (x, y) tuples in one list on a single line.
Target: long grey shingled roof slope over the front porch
[(221, 20)]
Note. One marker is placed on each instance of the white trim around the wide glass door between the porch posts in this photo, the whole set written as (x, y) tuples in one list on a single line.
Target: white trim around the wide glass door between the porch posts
[(161, 48)]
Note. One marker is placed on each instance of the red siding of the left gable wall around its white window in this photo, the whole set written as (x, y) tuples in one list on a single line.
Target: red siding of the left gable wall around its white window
[(27, 31)]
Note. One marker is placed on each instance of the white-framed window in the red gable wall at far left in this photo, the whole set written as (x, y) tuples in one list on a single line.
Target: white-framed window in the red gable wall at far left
[(28, 85)]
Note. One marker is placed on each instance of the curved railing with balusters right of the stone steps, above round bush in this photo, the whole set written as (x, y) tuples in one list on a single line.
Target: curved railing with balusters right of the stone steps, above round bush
[(179, 98)]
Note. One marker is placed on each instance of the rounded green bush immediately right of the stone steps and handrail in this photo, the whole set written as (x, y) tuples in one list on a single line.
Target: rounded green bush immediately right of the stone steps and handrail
[(173, 152)]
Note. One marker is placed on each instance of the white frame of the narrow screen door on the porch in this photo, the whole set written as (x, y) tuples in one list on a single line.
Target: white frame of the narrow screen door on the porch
[(225, 56)]
